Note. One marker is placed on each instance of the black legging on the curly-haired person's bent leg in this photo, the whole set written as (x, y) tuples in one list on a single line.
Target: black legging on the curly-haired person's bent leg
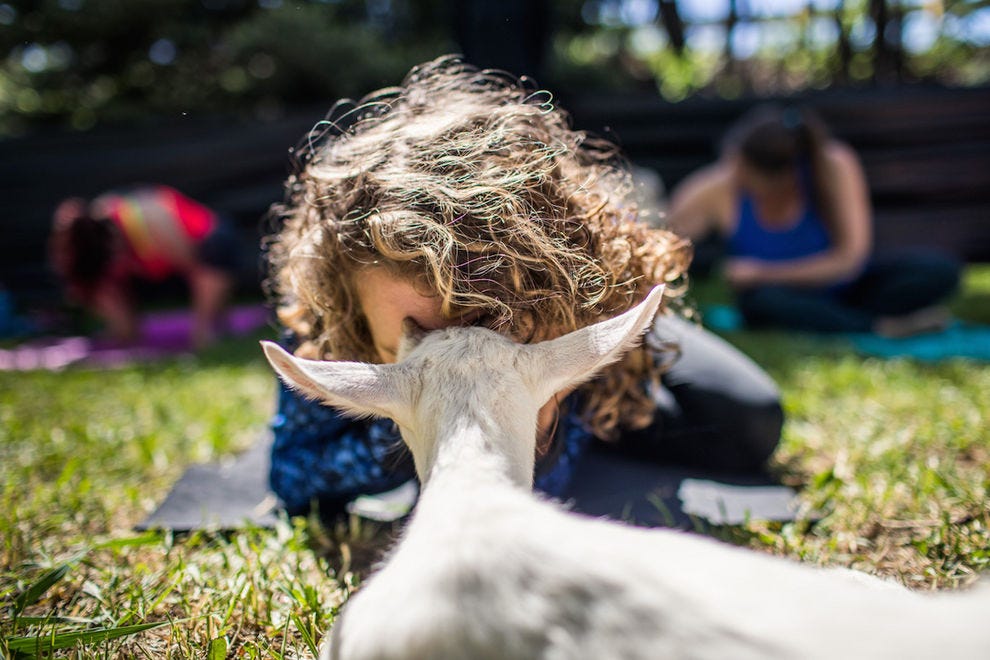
[(717, 408)]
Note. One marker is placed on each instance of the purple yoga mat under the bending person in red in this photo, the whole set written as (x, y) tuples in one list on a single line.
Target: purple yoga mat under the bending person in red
[(162, 334)]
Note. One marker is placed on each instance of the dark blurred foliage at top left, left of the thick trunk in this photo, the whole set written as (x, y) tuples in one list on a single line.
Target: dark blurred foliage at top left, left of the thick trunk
[(84, 62)]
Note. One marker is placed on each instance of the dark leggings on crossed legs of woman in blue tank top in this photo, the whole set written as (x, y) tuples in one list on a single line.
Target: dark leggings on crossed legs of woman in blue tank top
[(891, 285)]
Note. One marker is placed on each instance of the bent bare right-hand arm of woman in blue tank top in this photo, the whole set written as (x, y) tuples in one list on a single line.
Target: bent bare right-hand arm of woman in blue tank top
[(850, 228)]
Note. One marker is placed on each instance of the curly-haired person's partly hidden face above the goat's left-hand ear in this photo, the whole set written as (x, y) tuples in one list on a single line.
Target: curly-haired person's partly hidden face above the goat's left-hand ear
[(387, 300)]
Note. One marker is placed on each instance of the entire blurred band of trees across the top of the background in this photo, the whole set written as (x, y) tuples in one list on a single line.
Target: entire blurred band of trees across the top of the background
[(80, 63)]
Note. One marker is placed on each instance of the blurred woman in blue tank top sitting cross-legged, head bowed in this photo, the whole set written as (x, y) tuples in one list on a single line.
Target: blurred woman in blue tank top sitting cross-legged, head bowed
[(793, 206)]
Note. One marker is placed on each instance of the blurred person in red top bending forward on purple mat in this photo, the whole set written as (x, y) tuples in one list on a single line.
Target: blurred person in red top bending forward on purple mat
[(100, 247)]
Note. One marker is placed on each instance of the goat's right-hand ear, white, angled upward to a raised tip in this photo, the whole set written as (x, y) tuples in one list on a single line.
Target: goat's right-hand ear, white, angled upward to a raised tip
[(566, 361)]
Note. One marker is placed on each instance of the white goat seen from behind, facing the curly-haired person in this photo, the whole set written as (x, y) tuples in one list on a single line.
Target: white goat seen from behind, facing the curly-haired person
[(485, 569)]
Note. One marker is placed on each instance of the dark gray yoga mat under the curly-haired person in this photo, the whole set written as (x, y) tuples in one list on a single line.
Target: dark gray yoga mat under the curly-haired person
[(233, 494)]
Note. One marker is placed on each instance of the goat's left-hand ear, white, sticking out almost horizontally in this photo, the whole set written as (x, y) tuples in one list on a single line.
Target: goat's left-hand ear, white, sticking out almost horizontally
[(356, 388)]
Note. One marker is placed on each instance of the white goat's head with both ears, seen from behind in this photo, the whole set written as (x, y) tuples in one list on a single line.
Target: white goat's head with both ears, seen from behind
[(467, 375)]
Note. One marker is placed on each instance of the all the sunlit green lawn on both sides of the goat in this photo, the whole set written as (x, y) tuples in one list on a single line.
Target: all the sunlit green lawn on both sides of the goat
[(892, 459)]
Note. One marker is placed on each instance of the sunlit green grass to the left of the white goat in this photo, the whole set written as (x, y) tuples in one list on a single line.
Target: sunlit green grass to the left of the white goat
[(84, 456)]
